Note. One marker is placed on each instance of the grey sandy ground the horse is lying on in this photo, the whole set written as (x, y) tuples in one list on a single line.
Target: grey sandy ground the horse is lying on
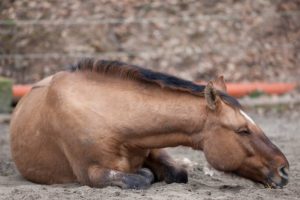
[(283, 129)]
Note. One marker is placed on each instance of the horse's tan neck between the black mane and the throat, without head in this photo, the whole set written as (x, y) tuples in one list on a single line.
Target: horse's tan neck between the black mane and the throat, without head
[(146, 115)]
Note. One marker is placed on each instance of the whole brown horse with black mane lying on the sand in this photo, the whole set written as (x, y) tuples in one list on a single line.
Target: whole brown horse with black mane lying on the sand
[(105, 123)]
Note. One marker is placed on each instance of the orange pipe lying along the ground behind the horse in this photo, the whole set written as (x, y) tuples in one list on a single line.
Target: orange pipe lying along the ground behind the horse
[(234, 89)]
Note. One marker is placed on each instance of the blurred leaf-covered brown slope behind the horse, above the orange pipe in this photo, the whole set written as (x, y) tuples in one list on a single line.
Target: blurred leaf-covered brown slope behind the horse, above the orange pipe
[(244, 40)]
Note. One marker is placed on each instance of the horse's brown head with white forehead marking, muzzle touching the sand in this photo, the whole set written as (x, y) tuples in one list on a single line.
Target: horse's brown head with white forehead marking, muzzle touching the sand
[(233, 142)]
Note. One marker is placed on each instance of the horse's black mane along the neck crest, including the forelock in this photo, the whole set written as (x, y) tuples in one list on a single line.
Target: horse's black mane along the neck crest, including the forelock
[(124, 70)]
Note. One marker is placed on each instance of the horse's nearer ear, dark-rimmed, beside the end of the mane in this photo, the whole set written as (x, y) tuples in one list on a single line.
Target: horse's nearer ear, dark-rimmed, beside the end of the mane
[(211, 96)]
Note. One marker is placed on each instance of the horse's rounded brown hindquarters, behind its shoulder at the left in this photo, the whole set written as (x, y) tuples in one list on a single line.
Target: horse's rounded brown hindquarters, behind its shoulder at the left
[(37, 156)]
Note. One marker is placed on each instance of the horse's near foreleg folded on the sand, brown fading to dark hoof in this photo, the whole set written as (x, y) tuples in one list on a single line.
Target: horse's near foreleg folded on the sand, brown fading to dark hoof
[(100, 177)]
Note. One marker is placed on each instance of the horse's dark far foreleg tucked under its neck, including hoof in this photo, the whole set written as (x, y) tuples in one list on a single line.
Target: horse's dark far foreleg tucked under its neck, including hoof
[(165, 168)]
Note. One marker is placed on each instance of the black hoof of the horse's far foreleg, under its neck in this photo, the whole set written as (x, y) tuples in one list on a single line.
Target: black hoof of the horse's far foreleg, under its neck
[(176, 175)]
